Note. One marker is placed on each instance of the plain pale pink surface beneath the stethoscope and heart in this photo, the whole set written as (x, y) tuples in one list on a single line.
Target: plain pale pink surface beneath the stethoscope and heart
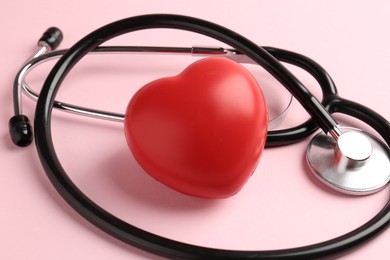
[(281, 205)]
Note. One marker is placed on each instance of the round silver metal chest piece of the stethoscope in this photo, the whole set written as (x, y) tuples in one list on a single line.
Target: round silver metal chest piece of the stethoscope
[(357, 163)]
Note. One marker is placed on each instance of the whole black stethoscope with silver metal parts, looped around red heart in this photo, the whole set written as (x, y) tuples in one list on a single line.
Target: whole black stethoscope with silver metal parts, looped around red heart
[(344, 158)]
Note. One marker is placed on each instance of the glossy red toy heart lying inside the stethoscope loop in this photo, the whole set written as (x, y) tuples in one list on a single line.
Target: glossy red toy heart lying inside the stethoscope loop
[(201, 132)]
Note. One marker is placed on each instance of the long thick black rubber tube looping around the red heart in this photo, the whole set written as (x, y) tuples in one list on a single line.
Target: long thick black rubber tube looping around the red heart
[(146, 240)]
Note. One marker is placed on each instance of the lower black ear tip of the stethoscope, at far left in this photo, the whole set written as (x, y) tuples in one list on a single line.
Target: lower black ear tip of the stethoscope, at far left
[(20, 130)]
